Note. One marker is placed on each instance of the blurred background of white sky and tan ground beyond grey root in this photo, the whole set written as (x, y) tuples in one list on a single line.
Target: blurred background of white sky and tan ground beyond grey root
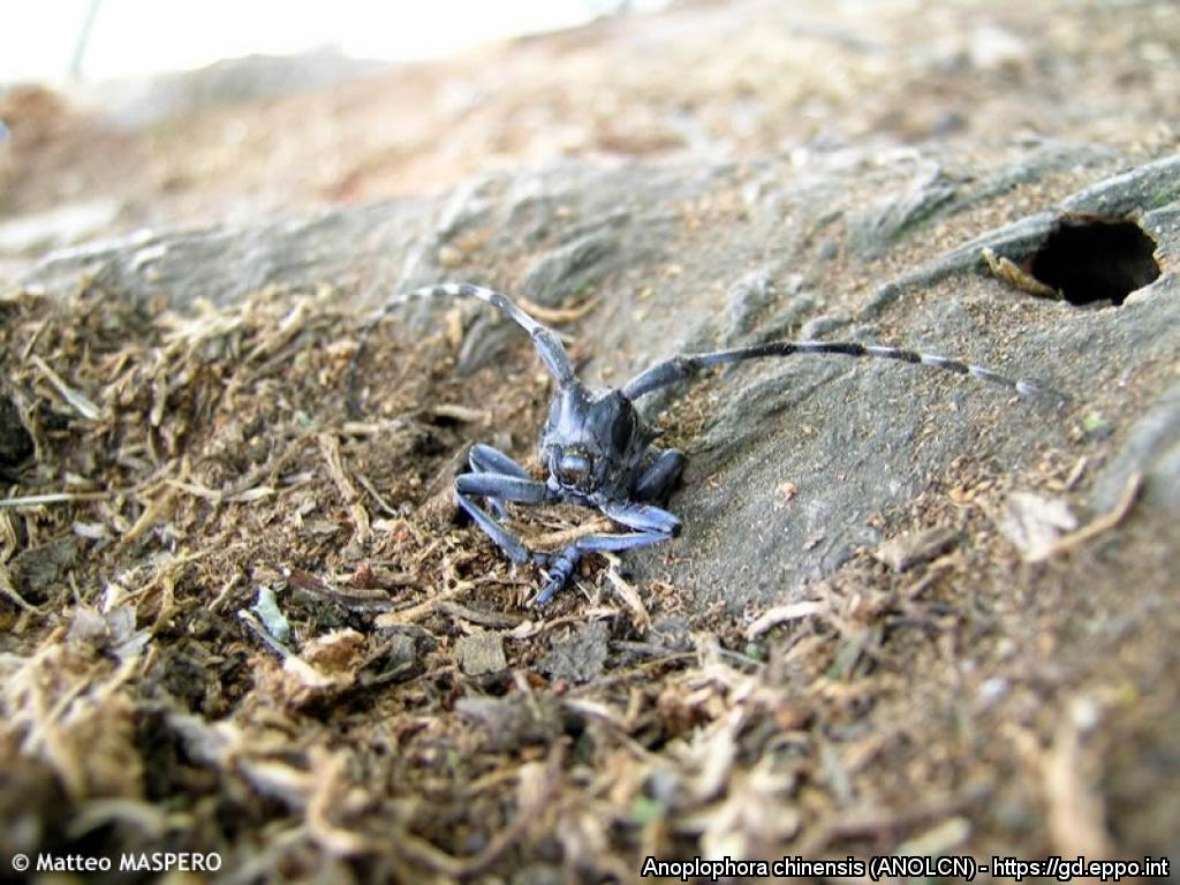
[(149, 114)]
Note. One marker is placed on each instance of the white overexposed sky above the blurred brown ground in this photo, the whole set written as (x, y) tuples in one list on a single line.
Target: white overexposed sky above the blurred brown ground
[(139, 37)]
